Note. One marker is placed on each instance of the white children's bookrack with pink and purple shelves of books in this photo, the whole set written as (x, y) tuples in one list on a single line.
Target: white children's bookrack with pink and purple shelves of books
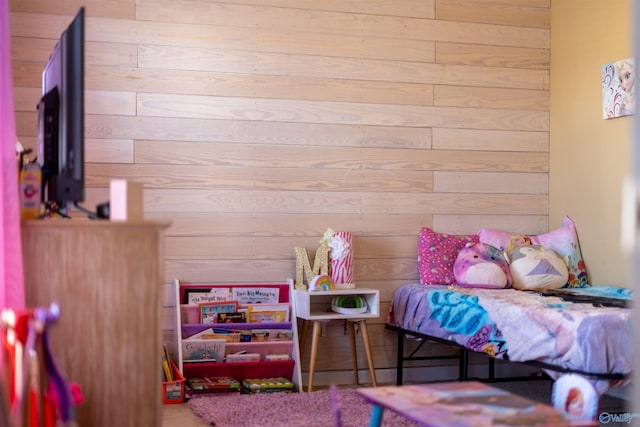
[(242, 346)]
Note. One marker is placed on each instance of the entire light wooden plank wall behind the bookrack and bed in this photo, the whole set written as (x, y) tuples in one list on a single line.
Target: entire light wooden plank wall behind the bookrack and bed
[(256, 124)]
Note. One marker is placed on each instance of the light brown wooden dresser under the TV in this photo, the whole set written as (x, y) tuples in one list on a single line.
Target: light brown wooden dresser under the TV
[(107, 278)]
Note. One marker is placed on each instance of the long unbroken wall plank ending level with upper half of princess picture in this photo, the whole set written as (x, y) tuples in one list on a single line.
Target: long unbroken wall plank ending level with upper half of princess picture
[(218, 60)]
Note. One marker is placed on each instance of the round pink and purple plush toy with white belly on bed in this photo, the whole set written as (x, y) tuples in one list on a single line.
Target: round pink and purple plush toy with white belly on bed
[(481, 266)]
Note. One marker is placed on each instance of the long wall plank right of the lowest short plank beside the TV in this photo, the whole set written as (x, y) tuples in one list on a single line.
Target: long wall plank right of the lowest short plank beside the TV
[(350, 158)]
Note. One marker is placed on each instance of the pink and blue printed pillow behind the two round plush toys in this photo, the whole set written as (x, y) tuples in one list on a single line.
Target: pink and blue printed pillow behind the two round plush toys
[(563, 241)]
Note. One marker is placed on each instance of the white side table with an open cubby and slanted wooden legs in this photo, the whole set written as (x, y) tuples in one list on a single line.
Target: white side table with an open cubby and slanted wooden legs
[(313, 306)]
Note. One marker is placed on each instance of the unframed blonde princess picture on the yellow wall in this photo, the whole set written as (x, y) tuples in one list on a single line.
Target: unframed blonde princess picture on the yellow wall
[(618, 89)]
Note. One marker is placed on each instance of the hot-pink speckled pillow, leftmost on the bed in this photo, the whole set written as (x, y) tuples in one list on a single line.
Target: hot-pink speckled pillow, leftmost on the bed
[(437, 252)]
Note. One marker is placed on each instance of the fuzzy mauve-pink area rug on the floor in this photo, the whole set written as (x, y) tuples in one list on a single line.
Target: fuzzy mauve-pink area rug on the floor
[(313, 409)]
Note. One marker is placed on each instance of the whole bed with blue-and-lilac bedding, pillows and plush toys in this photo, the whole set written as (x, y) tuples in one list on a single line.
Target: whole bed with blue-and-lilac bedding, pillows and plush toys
[(518, 298)]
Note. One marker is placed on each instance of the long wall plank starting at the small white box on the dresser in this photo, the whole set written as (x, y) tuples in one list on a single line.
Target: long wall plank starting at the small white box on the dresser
[(310, 202)]
